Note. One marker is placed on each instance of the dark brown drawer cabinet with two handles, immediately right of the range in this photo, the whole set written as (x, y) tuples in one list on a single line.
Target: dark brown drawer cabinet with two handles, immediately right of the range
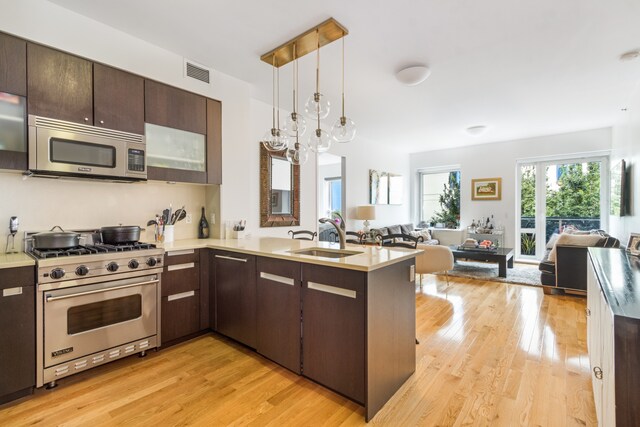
[(180, 295)]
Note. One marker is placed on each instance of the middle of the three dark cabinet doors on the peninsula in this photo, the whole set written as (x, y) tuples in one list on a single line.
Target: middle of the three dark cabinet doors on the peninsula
[(278, 312)]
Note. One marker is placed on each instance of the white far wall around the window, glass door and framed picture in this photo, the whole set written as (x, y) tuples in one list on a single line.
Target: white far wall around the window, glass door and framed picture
[(499, 160)]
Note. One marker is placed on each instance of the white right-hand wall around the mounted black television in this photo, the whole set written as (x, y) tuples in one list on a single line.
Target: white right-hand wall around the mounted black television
[(626, 145)]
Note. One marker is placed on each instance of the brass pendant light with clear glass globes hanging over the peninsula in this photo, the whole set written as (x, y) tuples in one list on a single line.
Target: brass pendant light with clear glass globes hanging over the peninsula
[(317, 105)]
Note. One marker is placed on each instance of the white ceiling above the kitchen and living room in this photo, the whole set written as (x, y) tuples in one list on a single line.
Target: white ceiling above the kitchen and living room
[(523, 68)]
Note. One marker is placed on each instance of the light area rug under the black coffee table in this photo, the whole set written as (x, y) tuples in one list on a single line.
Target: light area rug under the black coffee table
[(523, 274)]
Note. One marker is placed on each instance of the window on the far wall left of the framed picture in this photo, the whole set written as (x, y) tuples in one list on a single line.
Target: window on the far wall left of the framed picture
[(440, 198)]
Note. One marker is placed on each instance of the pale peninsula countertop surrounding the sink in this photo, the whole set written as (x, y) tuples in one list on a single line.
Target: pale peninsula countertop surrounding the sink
[(371, 258)]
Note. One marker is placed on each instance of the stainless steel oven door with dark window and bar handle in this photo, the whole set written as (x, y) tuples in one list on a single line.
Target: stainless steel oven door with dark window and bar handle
[(85, 319)]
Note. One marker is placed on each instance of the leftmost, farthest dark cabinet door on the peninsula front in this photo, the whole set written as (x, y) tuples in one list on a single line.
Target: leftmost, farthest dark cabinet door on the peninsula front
[(235, 285)]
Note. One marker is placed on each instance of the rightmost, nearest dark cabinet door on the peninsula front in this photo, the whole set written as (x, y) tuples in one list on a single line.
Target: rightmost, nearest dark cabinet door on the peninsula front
[(333, 328)]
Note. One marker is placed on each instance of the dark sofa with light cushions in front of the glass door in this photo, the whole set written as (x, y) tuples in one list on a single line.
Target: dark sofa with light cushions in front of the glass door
[(564, 266)]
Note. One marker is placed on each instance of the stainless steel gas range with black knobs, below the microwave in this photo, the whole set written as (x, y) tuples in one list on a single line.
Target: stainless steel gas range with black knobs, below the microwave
[(95, 303)]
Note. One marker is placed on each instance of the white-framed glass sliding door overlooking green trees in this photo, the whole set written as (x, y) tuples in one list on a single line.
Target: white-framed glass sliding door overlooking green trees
[(556, 195)]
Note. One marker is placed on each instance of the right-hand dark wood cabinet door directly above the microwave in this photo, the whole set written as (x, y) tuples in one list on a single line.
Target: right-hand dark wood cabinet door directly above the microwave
[(118, 99)]
